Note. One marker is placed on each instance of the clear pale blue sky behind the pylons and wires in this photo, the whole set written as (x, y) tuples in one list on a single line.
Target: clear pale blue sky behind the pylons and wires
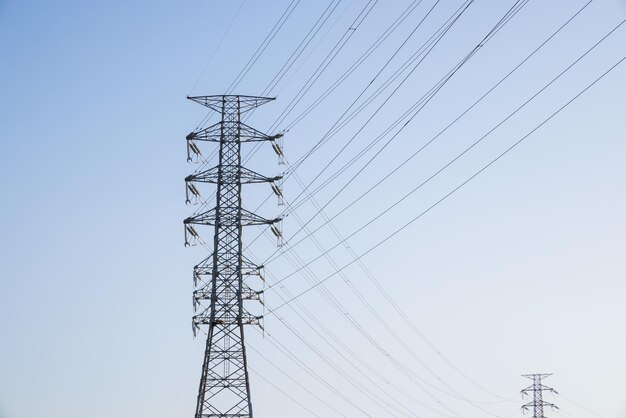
[(521, 270)]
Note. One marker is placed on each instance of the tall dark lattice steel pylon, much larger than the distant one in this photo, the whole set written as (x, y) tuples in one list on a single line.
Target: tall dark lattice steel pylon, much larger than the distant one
[(222, 280)]
